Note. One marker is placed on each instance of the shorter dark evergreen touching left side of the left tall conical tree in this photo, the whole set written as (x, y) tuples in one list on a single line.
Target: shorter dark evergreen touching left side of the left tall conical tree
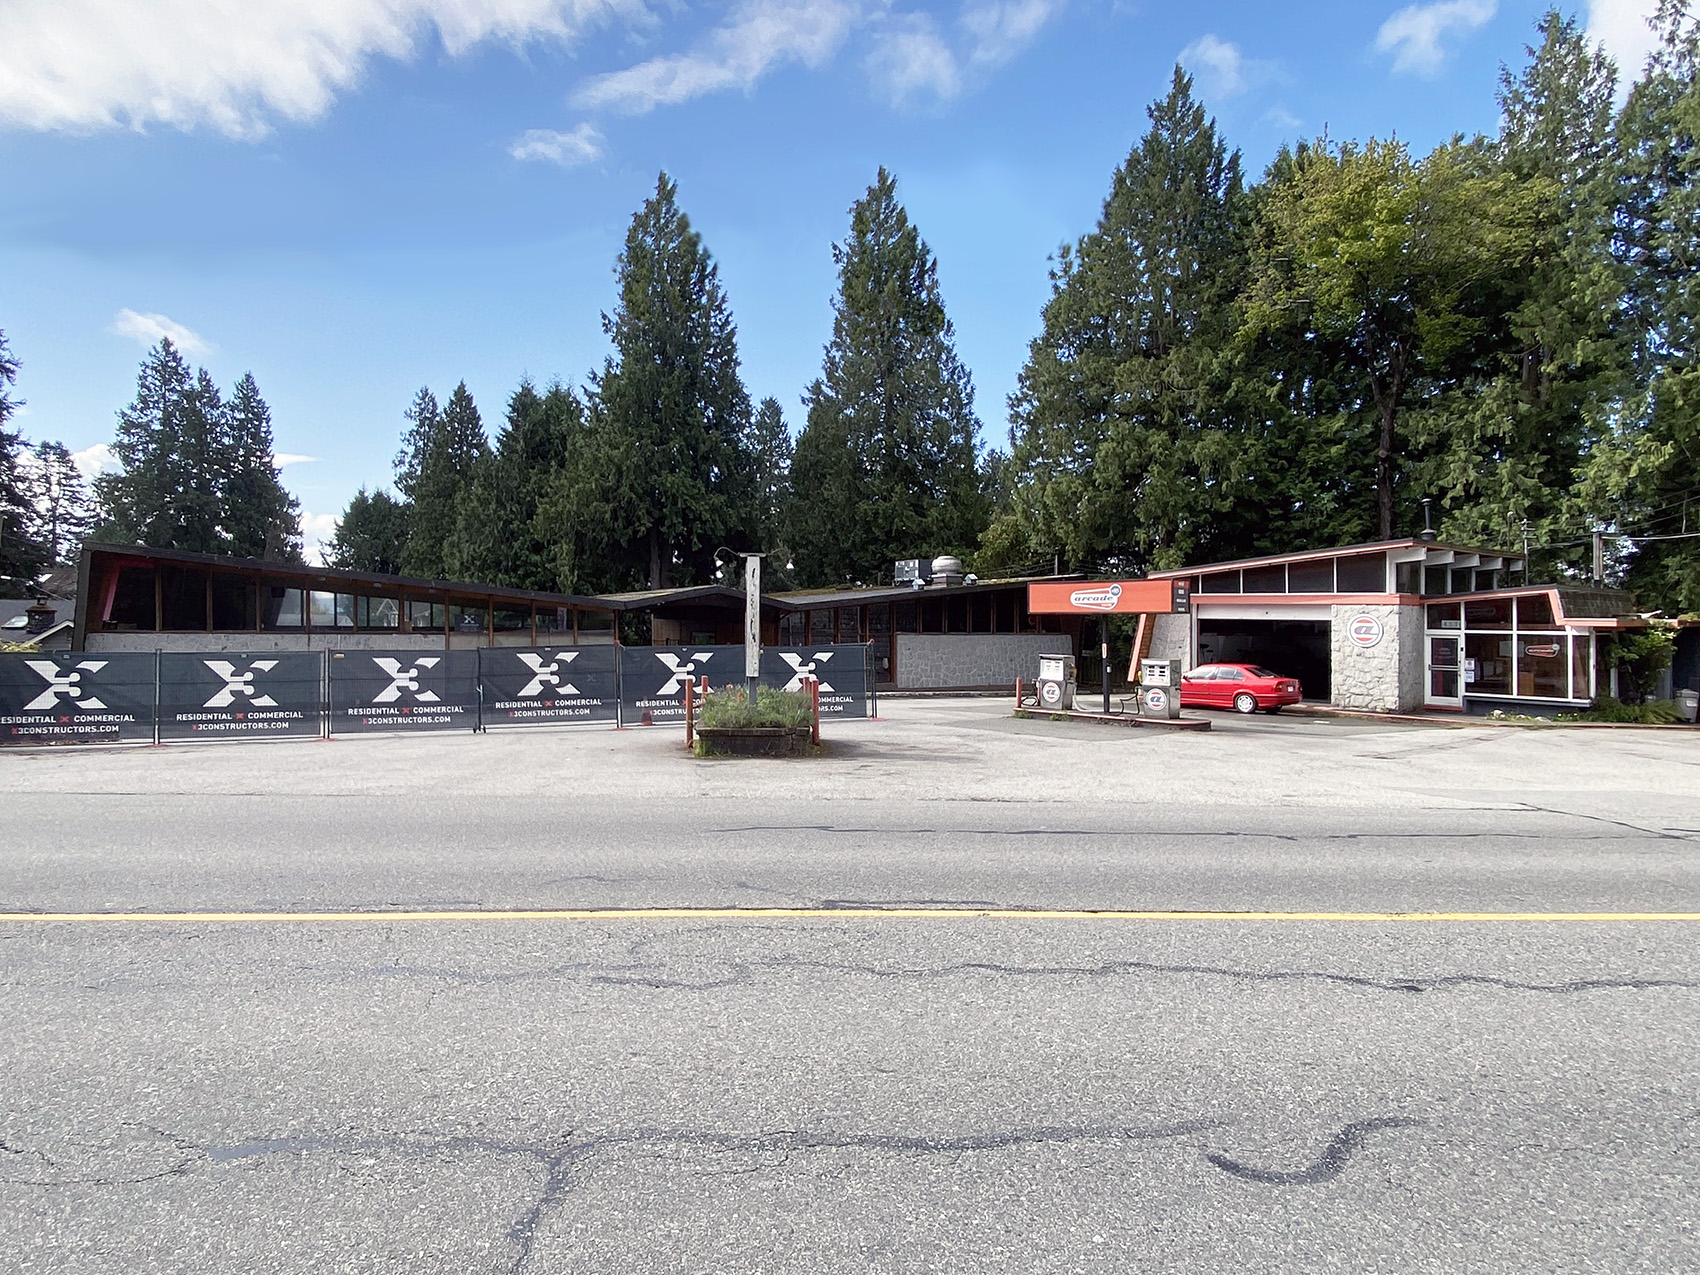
[(497, 536)]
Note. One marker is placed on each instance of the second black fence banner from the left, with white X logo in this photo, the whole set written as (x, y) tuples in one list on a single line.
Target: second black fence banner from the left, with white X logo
[(242, 694)]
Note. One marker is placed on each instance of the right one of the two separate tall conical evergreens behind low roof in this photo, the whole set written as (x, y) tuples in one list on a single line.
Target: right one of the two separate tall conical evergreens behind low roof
[(887, 463)]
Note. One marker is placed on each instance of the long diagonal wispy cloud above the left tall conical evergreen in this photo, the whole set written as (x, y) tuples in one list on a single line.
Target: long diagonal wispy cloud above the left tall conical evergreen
[(759, 37)]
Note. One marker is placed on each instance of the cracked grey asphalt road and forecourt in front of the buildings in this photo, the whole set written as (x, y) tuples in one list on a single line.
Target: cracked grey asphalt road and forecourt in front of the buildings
[(827, 1092)]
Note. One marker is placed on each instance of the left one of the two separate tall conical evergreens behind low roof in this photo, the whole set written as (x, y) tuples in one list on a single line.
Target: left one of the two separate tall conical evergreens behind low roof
[(666, 479)]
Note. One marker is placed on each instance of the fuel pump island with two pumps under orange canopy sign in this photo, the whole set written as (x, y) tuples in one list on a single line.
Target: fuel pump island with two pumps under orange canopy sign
[(1157, 683)]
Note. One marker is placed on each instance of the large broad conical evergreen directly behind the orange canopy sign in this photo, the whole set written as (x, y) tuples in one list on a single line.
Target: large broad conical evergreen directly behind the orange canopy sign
[(1128, 443)]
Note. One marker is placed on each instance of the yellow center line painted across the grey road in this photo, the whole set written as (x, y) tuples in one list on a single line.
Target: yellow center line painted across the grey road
[(824, 915)]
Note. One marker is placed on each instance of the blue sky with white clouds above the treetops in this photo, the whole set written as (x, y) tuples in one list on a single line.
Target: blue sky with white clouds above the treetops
[(356, 198)]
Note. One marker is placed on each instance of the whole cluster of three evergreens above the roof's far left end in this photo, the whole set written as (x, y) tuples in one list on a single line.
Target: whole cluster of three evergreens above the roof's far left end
[(198, 473)]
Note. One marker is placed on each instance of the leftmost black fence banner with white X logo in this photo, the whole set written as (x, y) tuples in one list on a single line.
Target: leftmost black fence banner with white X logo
[(77, 698)]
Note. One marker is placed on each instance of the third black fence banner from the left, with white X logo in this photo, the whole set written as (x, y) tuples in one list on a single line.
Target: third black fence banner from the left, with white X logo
[(404, 691)]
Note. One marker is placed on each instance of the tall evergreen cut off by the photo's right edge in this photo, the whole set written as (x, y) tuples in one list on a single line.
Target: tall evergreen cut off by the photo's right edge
[(1643, 477)]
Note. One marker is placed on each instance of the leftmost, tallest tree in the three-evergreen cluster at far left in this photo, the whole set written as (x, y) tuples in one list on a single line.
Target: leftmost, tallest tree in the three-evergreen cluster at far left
[(173, 446)]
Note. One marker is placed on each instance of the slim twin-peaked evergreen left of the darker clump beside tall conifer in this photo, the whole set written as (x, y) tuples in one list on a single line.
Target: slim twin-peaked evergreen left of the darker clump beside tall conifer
[(439, 455)]
